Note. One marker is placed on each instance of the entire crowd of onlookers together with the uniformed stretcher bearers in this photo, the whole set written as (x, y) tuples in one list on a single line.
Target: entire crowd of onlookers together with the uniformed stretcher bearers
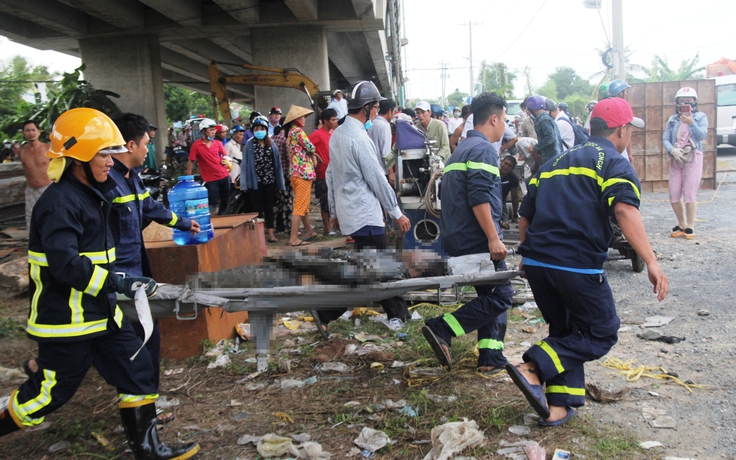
[(84, 187)]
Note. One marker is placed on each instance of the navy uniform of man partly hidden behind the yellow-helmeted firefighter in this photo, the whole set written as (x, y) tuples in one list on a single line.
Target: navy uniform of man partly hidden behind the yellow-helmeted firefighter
[(133, 208)]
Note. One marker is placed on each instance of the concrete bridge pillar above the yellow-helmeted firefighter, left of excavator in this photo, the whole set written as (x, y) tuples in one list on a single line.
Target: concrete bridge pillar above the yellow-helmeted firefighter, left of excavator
[(131, 67)]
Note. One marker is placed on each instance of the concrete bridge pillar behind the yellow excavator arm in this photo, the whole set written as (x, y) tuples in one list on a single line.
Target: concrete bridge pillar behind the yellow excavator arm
[(300, 47)]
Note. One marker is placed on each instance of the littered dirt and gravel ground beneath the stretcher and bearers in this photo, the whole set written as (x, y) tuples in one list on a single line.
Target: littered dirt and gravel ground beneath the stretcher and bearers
[(216, 411)]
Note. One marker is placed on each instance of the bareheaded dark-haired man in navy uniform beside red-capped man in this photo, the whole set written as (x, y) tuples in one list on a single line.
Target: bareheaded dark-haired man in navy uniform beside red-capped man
[(471, 224)]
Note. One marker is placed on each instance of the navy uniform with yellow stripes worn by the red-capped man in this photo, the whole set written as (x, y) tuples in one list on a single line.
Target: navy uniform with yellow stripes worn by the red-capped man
[(569, 205)]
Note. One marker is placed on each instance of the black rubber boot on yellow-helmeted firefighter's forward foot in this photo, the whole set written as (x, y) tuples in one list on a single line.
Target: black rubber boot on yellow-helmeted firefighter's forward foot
[(140, 429)]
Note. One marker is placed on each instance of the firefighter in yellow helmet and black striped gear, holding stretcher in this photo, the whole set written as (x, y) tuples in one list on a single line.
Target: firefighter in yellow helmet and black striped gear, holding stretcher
[(74, 315)]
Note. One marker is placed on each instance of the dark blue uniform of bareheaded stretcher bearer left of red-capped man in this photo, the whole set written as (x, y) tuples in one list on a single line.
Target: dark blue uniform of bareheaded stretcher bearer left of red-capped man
[(470, 178)]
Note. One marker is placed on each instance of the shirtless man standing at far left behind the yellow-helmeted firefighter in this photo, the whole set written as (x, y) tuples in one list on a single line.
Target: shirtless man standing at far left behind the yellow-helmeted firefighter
[(35, 163)]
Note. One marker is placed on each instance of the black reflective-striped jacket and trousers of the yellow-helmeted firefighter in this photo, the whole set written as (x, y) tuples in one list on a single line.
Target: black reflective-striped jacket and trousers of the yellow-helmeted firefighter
[(74, 316)]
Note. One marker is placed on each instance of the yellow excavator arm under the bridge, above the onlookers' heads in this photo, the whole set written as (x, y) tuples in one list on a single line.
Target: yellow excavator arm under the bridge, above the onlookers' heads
[(281, 78)]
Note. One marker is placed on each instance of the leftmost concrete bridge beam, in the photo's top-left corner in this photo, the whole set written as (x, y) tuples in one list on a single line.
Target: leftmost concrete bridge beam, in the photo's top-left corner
[(49, 14)]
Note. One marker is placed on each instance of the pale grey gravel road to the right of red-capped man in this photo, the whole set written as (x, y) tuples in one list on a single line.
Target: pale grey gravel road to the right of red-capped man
[(702, 275)]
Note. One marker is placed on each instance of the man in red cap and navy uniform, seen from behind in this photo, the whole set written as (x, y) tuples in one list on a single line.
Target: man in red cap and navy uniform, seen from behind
[(565, 231)]
